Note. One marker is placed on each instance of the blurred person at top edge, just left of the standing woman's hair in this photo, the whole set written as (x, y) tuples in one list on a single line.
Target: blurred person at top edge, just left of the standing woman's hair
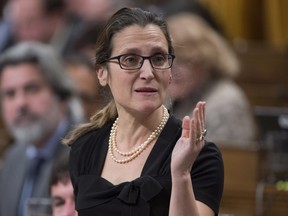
[(90, 16)]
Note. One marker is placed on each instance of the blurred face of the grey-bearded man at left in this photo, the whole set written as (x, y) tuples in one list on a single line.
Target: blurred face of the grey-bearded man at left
[(30, 109)]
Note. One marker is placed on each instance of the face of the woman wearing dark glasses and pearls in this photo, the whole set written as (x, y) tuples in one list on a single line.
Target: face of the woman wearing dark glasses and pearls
[(144, 89)]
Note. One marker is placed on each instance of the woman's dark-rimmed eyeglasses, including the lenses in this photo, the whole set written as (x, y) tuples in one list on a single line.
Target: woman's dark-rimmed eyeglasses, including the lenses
[(135, 62)]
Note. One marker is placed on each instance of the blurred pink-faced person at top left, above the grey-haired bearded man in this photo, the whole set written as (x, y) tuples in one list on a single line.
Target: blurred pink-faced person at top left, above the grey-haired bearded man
[(44, 21)]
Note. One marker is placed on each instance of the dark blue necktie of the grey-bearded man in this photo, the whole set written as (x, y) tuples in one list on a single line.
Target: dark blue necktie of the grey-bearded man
[(29, 183)]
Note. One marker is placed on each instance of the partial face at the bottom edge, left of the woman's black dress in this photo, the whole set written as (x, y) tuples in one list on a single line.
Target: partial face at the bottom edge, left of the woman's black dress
[(62, 196)]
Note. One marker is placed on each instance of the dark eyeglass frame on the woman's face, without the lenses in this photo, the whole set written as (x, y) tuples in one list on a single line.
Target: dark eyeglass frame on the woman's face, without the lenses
[(169, 56)]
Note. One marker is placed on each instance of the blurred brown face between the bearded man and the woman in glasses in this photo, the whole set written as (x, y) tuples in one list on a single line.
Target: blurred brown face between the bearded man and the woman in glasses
[(86, 84)]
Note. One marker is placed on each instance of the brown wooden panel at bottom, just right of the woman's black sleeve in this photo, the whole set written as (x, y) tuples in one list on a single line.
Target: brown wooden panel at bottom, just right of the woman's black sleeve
[(241, 178)]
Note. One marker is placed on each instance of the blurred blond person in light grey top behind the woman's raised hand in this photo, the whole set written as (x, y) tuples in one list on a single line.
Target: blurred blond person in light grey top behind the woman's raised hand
[(204, 70)]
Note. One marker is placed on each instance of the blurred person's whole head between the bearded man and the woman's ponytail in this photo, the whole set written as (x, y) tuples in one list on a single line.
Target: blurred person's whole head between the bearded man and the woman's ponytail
[(89, 90)]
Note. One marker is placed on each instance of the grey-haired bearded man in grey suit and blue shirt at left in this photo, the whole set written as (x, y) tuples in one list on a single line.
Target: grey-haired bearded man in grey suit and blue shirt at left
[(36, 103)]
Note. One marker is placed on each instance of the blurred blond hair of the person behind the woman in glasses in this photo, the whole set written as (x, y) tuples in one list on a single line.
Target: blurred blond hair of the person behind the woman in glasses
[(195, 41)]
